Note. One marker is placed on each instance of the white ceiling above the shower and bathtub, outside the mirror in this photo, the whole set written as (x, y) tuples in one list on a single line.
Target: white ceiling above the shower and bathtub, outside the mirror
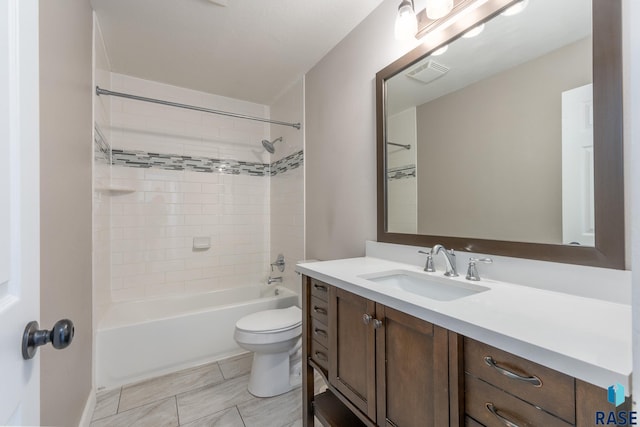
[(249, 49)]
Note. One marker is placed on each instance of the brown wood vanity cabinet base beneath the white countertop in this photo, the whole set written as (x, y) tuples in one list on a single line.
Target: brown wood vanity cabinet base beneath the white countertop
[(384, 367)]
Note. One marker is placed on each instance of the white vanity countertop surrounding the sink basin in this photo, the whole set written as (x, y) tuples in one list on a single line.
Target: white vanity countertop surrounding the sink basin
[(586, 338)]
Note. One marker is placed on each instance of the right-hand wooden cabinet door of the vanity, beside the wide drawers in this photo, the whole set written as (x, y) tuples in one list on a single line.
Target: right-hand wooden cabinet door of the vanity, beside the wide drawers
[(412, 371)]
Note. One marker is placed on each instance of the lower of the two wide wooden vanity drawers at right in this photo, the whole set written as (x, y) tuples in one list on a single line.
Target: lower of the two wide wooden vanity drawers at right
[(493, 407)]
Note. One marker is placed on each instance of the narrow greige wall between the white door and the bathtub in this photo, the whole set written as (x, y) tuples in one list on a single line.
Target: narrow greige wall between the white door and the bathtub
[(65, 210)]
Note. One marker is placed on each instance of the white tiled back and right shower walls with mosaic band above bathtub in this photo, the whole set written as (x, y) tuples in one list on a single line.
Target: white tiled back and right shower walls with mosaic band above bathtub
[(152, 227)]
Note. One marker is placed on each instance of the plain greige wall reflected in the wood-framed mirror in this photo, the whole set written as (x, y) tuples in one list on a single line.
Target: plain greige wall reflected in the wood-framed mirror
[(490, 155)]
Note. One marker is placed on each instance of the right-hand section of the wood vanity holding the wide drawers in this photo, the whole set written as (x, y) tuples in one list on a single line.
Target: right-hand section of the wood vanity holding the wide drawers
[(501, 388)]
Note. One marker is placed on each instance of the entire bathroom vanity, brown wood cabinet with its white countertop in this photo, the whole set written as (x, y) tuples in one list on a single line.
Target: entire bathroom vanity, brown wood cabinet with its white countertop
[(392, 357)]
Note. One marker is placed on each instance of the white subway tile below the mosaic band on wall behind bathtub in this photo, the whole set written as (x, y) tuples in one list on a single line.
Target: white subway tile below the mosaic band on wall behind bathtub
[(154, 226)]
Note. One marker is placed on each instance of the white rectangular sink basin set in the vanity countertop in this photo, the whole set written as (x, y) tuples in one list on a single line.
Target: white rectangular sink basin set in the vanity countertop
[(441, 289)]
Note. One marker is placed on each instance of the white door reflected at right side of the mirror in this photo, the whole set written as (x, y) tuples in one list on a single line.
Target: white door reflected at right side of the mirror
[(578, 227)]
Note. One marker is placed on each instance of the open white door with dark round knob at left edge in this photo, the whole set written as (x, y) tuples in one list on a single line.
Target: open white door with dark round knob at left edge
[(19, 209)]
